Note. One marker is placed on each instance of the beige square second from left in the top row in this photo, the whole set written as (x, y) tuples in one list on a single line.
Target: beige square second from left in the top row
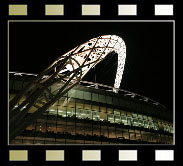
[(55, 10)]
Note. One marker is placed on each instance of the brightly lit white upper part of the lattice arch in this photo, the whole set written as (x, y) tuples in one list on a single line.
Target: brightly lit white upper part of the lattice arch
[(95, 50)]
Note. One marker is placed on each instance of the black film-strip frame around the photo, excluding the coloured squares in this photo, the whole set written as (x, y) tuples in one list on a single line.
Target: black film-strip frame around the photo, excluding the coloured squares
[(146, 153)]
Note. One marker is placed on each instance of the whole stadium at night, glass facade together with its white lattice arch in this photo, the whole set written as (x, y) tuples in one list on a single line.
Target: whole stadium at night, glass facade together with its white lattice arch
[(57, 107)]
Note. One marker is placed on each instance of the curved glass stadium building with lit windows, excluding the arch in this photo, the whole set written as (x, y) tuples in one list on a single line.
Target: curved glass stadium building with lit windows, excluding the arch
[(92, 113)]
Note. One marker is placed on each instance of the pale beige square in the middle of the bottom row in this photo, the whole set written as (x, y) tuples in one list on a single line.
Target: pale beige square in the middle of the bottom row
[(91, 155)]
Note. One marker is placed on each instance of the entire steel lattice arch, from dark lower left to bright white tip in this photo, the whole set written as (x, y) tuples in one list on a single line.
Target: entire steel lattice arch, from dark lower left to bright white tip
[(64, 73)]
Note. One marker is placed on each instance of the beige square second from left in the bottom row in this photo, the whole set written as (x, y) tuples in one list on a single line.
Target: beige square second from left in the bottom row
[(54, 155)]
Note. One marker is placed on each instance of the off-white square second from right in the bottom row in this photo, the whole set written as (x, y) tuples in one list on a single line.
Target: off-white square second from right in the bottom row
[(127, 155)]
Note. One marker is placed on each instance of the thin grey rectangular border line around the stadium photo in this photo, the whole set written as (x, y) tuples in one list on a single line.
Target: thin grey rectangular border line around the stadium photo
[(8, 25)]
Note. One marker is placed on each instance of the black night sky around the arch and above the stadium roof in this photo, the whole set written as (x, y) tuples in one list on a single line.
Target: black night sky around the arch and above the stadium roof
[(149, 61)]
